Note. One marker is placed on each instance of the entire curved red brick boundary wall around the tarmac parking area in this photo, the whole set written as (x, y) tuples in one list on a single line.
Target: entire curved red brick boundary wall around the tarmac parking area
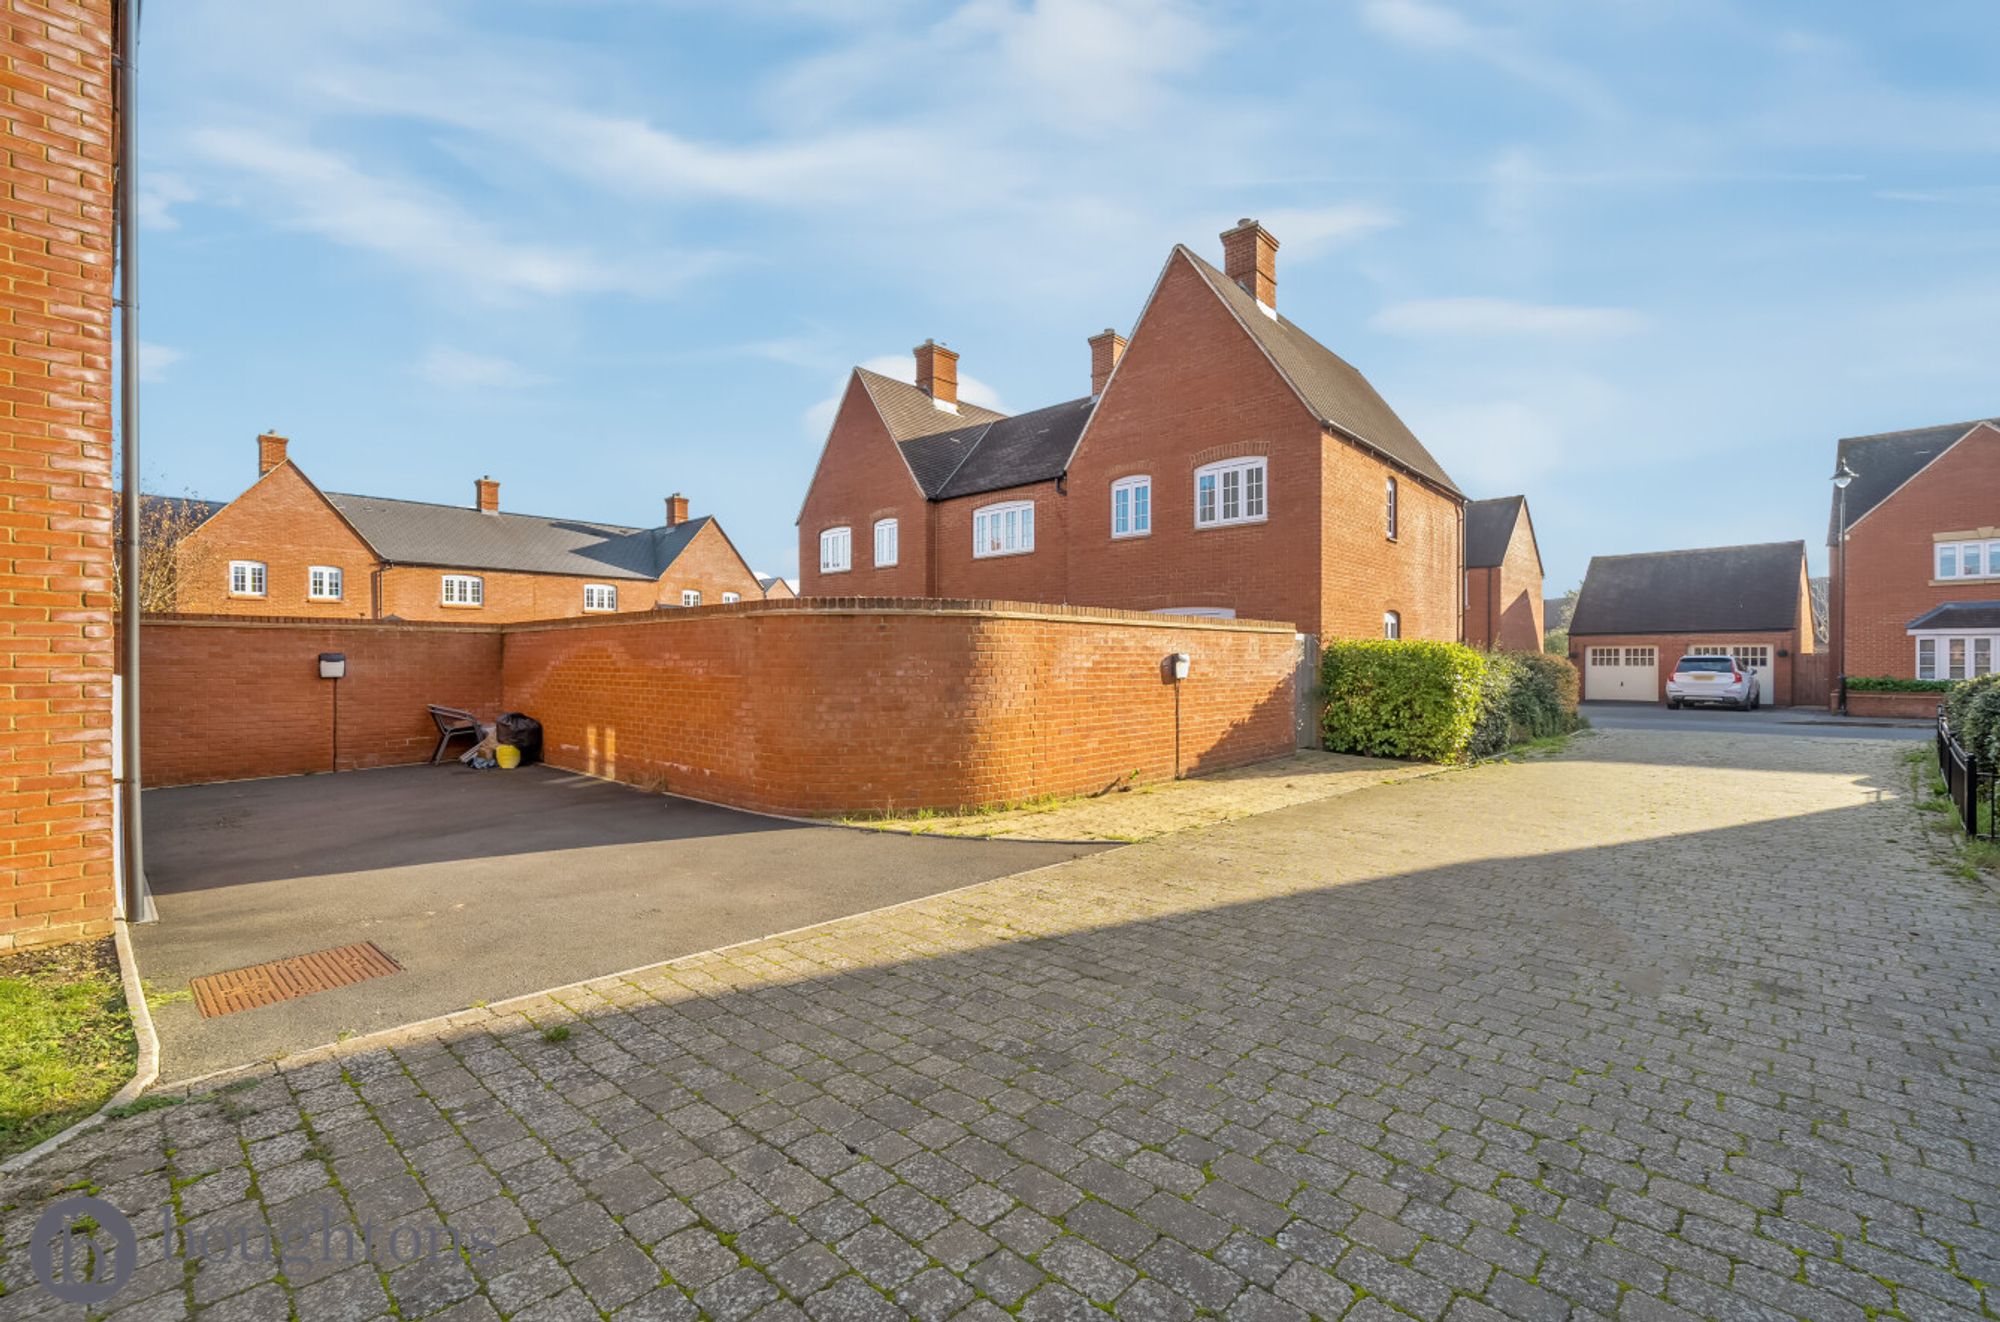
[(803, 707)]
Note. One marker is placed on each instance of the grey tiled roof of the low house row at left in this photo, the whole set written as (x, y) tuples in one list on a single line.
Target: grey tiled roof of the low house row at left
[(461, 537)]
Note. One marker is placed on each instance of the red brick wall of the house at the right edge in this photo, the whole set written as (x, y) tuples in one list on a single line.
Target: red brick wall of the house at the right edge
[(1893, 563)]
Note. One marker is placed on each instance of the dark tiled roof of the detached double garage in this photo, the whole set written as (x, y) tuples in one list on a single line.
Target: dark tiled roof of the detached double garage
[(1713, 591)]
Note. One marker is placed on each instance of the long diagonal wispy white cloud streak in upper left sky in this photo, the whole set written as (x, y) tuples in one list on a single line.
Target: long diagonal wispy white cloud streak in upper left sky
[(323, 193)]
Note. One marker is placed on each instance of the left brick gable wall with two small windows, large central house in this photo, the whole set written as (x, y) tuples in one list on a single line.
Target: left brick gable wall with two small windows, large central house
[(861, 481)]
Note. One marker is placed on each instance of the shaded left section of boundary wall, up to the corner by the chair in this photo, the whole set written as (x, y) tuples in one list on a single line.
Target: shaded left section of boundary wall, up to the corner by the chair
[(279, 717)]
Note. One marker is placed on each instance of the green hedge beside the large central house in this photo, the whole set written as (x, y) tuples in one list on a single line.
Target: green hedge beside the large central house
[(1441, 701)]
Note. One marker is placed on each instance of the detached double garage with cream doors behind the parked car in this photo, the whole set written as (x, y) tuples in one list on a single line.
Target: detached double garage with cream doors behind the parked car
[(1639, 615)]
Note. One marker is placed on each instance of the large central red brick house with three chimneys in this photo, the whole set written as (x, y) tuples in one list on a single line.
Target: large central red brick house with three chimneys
[(1225, 463)]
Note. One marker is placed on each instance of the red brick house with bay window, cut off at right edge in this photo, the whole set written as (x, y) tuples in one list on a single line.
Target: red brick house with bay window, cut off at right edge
[(1917, 587)]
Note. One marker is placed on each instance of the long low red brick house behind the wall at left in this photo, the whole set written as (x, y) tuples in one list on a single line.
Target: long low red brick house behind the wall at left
[(289, 549)]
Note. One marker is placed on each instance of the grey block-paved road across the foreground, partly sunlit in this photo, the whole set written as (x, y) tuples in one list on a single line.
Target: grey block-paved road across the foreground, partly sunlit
[(1659, 1029)]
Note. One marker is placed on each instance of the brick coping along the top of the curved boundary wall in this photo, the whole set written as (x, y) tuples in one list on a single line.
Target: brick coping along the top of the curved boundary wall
[(805, 605)]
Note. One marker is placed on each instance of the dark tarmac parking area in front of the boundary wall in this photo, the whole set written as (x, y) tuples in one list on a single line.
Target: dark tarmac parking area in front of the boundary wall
[(481, 887)]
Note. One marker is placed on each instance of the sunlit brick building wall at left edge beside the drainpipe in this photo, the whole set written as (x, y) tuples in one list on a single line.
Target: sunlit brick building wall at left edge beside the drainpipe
[(57, 473)]
